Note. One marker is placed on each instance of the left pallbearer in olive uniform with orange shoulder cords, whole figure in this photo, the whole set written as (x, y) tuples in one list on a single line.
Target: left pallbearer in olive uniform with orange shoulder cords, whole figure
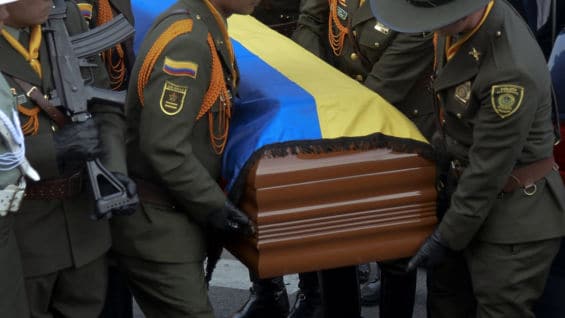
[(178, 116)]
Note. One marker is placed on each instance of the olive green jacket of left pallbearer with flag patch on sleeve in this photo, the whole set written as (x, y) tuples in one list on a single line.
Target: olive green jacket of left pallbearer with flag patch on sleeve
[(167, 146)]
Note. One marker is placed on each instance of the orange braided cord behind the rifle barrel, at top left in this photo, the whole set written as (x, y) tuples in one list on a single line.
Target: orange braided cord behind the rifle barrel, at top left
[(115, 63)]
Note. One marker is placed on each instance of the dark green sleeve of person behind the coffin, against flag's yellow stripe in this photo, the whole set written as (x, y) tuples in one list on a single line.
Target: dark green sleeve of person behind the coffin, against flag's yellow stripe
[(401, 65)]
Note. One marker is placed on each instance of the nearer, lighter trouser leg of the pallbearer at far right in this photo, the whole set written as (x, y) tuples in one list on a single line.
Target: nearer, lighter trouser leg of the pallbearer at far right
[(508, 279)]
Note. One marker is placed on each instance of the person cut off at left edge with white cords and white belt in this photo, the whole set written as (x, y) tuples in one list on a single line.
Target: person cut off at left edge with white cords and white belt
[(13, 165)]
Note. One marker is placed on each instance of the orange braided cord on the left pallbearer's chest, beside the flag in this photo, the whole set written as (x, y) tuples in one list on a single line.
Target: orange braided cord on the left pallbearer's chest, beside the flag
[(217, 89)]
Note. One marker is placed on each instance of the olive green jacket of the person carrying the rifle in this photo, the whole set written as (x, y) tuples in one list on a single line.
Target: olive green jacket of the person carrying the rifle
[(56, 234)]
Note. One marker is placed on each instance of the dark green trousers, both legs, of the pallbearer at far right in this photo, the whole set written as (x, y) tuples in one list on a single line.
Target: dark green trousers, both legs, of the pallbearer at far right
[(491, 280)]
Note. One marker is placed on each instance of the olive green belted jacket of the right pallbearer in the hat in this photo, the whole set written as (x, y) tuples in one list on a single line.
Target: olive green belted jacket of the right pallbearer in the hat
[(496, 96)]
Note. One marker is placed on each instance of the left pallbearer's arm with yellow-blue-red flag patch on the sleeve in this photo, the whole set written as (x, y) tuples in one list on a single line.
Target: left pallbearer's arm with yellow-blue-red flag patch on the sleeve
[(168, 118)]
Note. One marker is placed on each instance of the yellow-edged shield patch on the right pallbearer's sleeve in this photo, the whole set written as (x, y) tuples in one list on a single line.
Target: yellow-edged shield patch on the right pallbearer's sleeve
[(506, 99)]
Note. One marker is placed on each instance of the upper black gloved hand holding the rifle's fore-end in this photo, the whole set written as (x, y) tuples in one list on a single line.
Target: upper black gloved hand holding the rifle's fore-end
[(78, 141)]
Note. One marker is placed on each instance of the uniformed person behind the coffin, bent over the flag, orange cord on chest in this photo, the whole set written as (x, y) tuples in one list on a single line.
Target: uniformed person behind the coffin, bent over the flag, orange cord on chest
[(396, 66)]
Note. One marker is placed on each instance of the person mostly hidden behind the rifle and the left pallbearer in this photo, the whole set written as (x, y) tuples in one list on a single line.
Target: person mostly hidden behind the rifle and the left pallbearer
[(119, 62)]
